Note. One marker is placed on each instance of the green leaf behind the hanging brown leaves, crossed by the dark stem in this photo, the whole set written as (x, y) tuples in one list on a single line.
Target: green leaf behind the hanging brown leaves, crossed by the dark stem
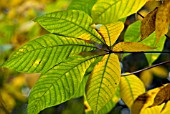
[(150, 41)]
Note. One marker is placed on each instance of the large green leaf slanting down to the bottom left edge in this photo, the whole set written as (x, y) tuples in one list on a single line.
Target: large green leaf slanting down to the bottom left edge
[(59, 84)]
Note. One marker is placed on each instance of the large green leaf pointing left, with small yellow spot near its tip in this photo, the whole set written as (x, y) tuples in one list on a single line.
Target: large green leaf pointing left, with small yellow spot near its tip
[(43, 53)]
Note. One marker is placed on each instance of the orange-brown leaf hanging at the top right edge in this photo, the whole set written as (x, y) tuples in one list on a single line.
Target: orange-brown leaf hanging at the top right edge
[(162, 19)]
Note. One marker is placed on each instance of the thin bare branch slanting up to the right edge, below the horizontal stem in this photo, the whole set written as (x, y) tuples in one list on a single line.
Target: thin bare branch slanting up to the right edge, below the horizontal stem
[(147, 68)]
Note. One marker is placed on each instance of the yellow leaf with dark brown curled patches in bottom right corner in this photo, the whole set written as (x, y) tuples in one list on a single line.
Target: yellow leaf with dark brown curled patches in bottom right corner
[(152, 102)]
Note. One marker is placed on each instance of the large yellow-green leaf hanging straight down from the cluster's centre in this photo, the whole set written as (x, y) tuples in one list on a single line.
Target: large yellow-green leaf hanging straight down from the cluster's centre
[(103, 82)]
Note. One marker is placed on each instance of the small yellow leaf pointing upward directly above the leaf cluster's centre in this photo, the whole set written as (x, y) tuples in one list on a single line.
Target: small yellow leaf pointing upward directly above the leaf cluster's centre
[(111, 32)]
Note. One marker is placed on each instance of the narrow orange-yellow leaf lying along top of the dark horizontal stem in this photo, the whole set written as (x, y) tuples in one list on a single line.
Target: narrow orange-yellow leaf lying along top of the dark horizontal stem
[(131, 47)]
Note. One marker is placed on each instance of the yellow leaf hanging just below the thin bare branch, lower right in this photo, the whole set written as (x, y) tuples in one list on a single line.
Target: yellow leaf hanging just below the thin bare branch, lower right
[(130, 88)]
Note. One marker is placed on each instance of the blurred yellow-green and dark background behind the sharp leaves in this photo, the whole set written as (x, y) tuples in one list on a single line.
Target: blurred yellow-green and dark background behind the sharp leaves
[(17, 27)]
